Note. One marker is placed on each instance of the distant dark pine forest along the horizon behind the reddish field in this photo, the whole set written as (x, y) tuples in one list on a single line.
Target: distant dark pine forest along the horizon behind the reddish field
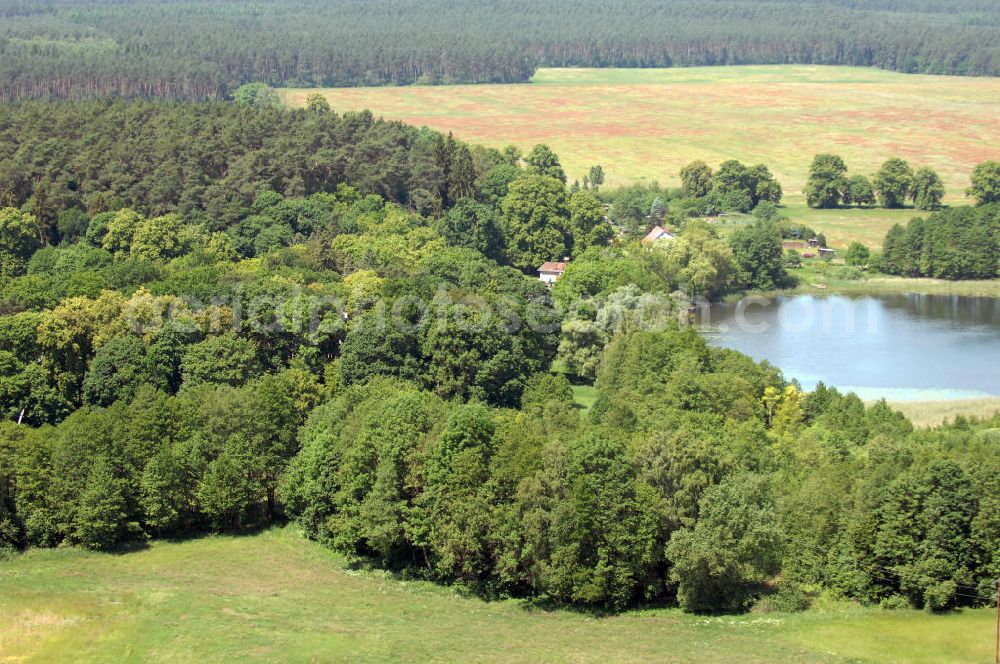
[(204, 50)]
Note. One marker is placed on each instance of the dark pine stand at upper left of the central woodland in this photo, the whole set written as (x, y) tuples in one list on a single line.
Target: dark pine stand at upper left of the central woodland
[(212, 157)]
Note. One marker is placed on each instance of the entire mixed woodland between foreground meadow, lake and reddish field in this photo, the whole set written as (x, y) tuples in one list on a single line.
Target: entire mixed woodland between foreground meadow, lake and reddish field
[(336, 320)]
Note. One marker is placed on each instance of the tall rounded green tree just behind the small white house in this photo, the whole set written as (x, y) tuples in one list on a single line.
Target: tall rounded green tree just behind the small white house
[(535, 221)]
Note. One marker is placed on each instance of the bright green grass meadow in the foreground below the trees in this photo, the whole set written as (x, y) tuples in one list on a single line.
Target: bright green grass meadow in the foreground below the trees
[(278, 598)]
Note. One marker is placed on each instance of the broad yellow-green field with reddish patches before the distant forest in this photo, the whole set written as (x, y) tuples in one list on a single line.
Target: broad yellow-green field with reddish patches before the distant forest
[(645, 124)]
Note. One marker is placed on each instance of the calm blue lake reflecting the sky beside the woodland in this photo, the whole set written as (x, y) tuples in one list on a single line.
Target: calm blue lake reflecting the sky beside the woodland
[(901, 347)]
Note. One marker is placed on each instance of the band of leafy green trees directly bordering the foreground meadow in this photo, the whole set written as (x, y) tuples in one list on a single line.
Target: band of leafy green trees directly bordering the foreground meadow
[(699, 478)]
